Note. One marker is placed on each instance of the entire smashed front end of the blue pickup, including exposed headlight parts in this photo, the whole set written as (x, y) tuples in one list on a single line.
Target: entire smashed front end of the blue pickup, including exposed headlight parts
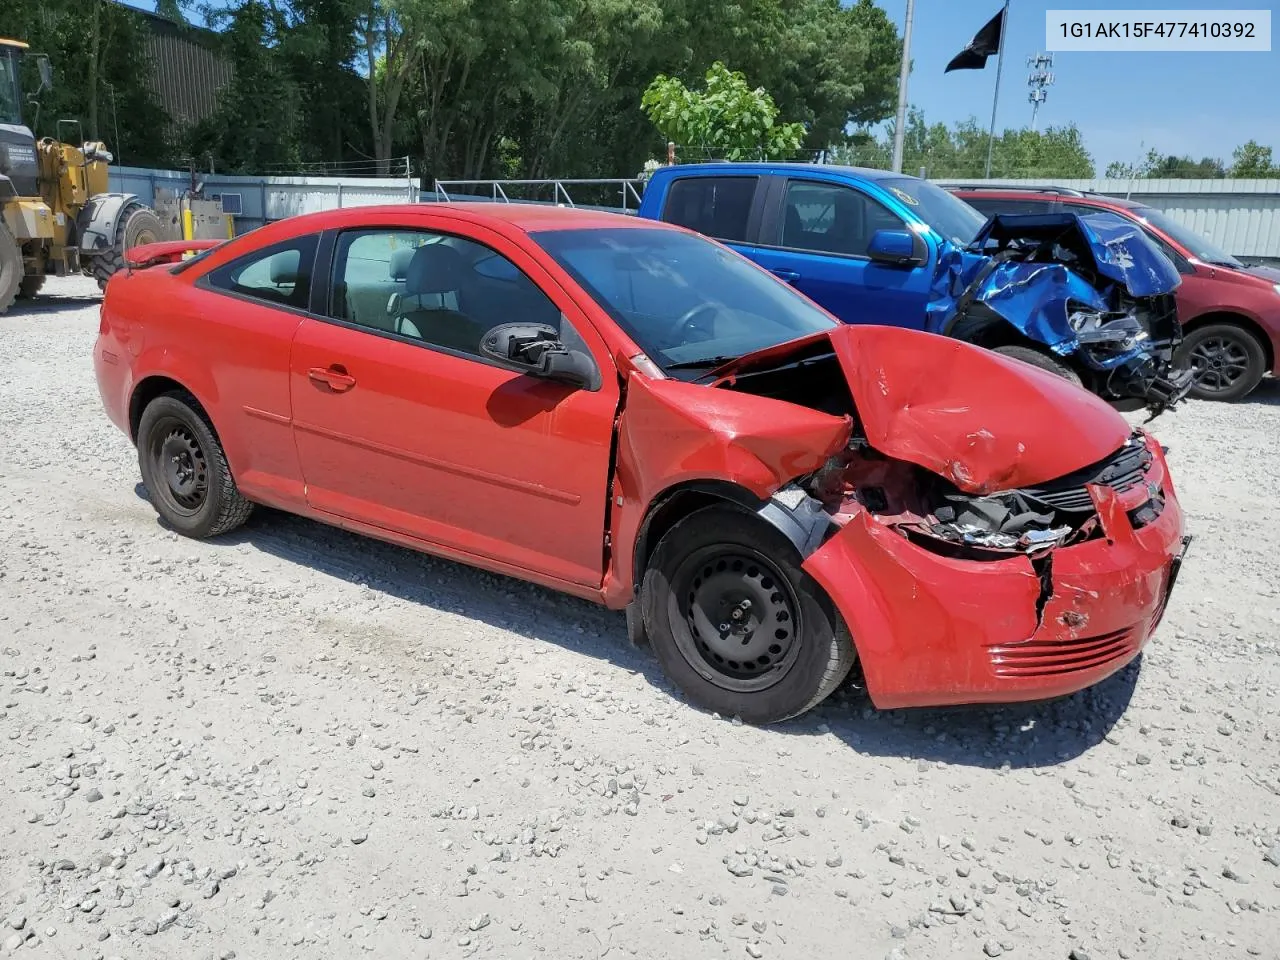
[(1092, 289)]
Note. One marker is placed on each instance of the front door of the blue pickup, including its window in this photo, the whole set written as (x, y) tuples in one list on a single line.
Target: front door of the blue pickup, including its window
[(816, 235)]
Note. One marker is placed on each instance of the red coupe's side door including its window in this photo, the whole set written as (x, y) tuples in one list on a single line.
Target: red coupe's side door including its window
[(403, 424)]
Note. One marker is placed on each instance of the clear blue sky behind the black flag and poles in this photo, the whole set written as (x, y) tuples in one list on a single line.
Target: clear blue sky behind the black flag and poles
[(1199, 104)]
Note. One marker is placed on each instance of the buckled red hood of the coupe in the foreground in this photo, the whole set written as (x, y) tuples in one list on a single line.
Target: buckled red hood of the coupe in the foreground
[(984, 422)]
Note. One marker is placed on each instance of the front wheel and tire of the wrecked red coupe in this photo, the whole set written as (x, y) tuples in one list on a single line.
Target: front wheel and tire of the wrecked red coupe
[(799, 650)]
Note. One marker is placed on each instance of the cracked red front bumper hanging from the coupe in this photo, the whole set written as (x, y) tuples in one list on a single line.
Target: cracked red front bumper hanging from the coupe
[(931, 630)]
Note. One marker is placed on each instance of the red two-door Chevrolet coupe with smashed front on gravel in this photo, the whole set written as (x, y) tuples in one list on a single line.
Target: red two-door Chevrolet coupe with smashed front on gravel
[(634, 414)]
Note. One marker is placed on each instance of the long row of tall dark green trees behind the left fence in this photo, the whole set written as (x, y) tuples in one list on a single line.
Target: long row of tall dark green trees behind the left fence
[(467, 88)]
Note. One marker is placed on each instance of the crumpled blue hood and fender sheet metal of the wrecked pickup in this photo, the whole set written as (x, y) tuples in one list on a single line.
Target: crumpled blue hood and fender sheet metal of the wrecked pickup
[(1039, 292)]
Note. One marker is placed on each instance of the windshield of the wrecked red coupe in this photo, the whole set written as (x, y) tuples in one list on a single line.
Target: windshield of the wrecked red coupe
[(688, 303)]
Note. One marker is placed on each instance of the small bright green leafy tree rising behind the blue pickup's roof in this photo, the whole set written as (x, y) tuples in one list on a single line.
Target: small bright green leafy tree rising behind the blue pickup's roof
[(728, 120)]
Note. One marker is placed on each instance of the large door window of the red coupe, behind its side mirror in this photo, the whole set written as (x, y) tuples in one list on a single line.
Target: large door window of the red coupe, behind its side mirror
[(432, 287)]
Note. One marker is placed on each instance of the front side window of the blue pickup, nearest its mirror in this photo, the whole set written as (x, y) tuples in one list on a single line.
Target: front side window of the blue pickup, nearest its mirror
[(829, 218)]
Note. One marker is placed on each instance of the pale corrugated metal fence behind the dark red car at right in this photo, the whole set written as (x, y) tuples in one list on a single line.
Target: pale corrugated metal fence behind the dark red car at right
[(1241, 217)]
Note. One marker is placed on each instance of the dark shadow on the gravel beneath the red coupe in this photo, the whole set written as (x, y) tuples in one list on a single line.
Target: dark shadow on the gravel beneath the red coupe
[(1028, 735)]
